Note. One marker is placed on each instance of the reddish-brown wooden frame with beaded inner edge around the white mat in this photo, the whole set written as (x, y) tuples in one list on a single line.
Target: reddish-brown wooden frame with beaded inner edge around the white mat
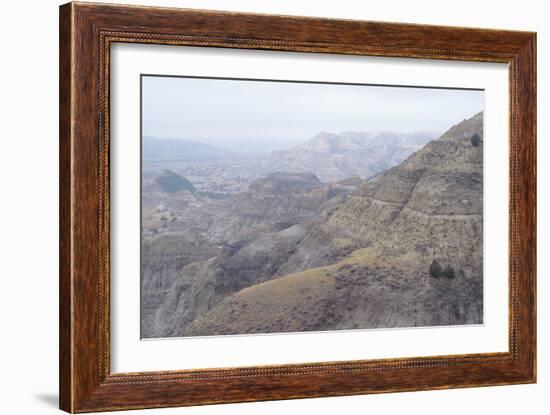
[(86, 33)]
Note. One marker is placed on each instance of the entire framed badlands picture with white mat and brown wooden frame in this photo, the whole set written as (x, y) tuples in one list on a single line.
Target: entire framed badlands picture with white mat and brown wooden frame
[(258, 207)]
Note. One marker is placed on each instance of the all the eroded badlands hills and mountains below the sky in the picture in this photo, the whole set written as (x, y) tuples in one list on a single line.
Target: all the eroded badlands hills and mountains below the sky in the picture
[(354, 230)]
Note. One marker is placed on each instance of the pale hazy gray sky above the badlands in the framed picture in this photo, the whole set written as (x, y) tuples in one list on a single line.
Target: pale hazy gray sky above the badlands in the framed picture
[(230, 112)]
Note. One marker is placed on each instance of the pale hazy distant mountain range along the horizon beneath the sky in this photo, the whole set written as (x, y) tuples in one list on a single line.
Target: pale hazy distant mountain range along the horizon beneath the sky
[(331, 157)]
